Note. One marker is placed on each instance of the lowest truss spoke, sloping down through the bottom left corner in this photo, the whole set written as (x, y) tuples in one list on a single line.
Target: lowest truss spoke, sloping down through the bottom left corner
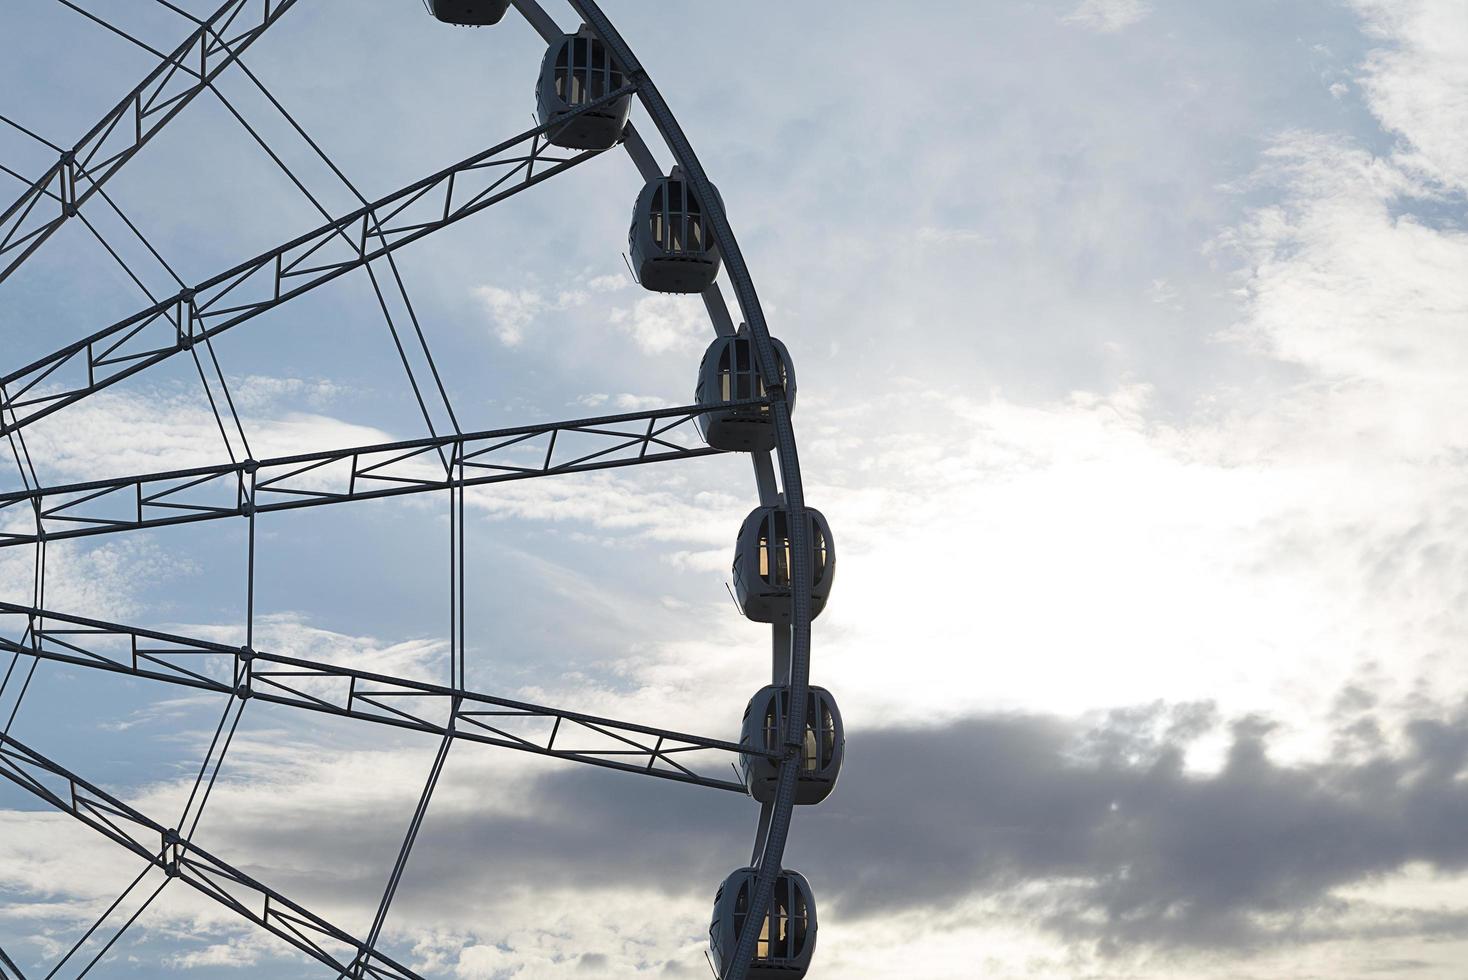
[(190, 863)]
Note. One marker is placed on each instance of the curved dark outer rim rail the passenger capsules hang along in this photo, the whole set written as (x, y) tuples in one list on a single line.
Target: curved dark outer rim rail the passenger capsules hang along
[(776, 821)]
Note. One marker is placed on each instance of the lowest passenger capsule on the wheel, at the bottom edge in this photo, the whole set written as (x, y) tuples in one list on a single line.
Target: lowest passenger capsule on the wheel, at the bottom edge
[(788, 938)]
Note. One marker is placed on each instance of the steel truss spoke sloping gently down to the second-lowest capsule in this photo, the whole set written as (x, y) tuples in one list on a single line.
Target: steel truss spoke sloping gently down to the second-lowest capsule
[(371, 698)]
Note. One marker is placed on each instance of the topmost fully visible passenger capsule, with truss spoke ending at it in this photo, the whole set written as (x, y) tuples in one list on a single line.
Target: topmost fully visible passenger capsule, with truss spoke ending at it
[(576, 71)]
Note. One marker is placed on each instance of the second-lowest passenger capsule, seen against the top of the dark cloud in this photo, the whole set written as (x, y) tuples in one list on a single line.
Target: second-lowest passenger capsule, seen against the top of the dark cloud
[(823, 747)]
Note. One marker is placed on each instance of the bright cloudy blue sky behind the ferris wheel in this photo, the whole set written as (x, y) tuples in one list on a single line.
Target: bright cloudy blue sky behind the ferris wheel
[(1131, 343)]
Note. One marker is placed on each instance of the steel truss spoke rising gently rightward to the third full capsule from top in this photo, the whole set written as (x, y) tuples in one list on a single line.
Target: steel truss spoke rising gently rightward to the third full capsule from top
[(360, 473)]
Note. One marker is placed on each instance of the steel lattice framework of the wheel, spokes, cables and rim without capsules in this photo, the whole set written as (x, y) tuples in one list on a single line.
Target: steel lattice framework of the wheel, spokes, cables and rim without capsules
[(244, 489)]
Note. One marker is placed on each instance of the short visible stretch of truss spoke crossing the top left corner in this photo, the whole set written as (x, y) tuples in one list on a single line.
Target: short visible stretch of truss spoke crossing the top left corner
[(131, 124)]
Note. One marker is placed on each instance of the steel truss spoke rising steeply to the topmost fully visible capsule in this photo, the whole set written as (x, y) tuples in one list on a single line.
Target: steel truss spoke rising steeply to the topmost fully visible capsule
[(286, 272)]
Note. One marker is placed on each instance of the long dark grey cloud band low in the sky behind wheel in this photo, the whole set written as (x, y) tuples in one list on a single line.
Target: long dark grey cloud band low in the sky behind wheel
[(1097, 833)]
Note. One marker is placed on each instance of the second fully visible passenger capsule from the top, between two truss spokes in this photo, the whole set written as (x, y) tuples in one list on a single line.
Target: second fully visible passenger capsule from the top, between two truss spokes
[(672, 244)]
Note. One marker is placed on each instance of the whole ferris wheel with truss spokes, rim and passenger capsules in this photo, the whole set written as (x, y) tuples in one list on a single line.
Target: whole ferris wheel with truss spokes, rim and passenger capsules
[(791, 749)]
